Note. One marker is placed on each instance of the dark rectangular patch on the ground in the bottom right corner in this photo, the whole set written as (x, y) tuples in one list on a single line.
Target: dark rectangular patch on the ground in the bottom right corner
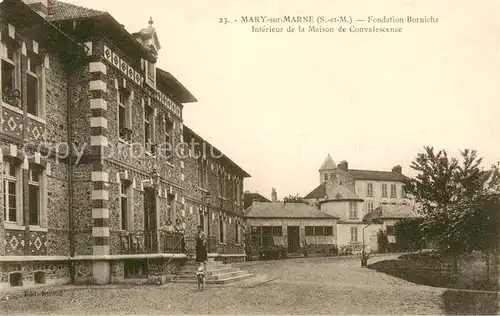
[(457, 302)]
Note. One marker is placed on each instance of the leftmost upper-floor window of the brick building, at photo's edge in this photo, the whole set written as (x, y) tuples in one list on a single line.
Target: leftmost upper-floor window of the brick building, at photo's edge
[(10, 78)]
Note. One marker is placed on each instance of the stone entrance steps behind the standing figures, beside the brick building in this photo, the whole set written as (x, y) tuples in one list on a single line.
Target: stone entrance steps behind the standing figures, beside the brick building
[(216, 273)]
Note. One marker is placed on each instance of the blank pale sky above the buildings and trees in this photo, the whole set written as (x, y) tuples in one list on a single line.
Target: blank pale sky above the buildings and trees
[(277, 104)]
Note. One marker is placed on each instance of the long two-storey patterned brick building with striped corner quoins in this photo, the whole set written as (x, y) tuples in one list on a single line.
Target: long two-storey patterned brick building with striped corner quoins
[(95, 155)]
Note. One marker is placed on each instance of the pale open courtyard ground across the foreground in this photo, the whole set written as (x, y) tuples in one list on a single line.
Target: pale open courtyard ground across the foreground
[(302, 286)]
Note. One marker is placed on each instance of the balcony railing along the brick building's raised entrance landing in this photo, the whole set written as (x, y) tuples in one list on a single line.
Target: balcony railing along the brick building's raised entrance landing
[(150, 241)]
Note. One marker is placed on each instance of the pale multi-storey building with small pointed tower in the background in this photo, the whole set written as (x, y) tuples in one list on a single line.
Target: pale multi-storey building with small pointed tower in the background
[(357, 197)]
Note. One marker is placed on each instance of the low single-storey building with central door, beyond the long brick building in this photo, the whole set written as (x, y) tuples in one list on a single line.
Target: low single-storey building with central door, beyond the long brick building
[(295, 226)]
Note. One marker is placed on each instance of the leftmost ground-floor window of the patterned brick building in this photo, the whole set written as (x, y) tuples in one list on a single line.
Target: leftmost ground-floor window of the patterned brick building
[(12, 192)]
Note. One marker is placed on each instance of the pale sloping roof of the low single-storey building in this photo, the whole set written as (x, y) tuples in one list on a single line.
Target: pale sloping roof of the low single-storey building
[(284, 210)]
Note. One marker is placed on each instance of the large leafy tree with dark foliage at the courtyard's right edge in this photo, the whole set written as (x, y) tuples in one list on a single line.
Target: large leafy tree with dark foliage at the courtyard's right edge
[(455, 200)]
